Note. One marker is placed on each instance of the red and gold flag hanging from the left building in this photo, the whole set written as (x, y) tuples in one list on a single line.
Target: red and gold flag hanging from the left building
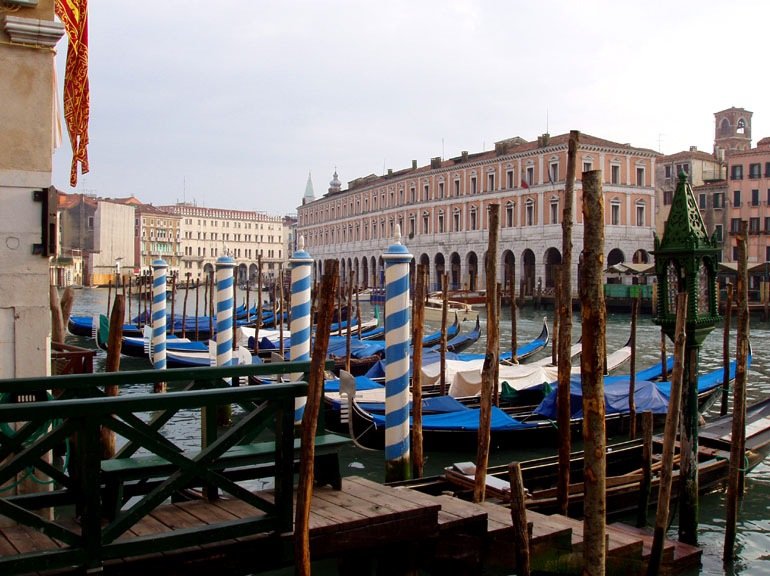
[(74, 16)]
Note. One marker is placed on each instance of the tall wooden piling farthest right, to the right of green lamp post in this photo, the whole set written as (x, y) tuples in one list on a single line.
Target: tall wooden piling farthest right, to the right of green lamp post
[(735, 481)]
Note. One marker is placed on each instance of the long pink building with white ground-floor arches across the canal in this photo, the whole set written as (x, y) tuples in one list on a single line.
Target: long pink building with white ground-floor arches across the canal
[(442, 211)]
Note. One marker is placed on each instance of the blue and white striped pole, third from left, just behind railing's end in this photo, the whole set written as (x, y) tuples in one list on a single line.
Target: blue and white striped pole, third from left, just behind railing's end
[(301, 268)]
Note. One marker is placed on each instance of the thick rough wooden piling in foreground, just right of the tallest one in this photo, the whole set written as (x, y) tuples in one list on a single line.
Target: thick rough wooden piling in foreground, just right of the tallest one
[(592, 375)]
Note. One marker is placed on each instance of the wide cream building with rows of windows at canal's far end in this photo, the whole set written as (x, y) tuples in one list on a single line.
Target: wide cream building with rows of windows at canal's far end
[(248, 236)]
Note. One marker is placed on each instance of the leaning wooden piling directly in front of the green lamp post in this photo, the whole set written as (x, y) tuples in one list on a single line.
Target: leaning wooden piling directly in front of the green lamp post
[(669, 438)]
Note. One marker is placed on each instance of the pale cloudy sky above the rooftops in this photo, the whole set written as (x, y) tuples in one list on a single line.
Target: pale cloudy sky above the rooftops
[(231, 104)]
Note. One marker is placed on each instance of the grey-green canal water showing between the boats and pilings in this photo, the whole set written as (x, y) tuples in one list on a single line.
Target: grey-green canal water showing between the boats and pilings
[(753, 535)]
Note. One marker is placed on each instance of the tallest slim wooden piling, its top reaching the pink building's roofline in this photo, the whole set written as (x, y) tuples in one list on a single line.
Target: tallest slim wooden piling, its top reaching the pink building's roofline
[(565, 335)]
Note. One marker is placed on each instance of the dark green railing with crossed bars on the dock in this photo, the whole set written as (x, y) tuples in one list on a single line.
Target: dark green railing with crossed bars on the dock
[(79, 417)]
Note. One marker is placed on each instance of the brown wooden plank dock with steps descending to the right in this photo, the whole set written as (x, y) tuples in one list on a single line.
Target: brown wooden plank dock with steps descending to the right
[(368, 526)]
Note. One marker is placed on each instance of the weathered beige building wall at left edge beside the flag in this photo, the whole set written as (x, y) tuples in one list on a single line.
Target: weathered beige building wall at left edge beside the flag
[(28, 35)]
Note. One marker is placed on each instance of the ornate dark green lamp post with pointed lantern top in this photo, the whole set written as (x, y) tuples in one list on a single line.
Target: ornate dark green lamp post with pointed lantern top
[(686, 260)]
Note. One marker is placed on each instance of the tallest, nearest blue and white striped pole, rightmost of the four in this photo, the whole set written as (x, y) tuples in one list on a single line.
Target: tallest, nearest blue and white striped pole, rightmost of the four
[(397, 336)]
